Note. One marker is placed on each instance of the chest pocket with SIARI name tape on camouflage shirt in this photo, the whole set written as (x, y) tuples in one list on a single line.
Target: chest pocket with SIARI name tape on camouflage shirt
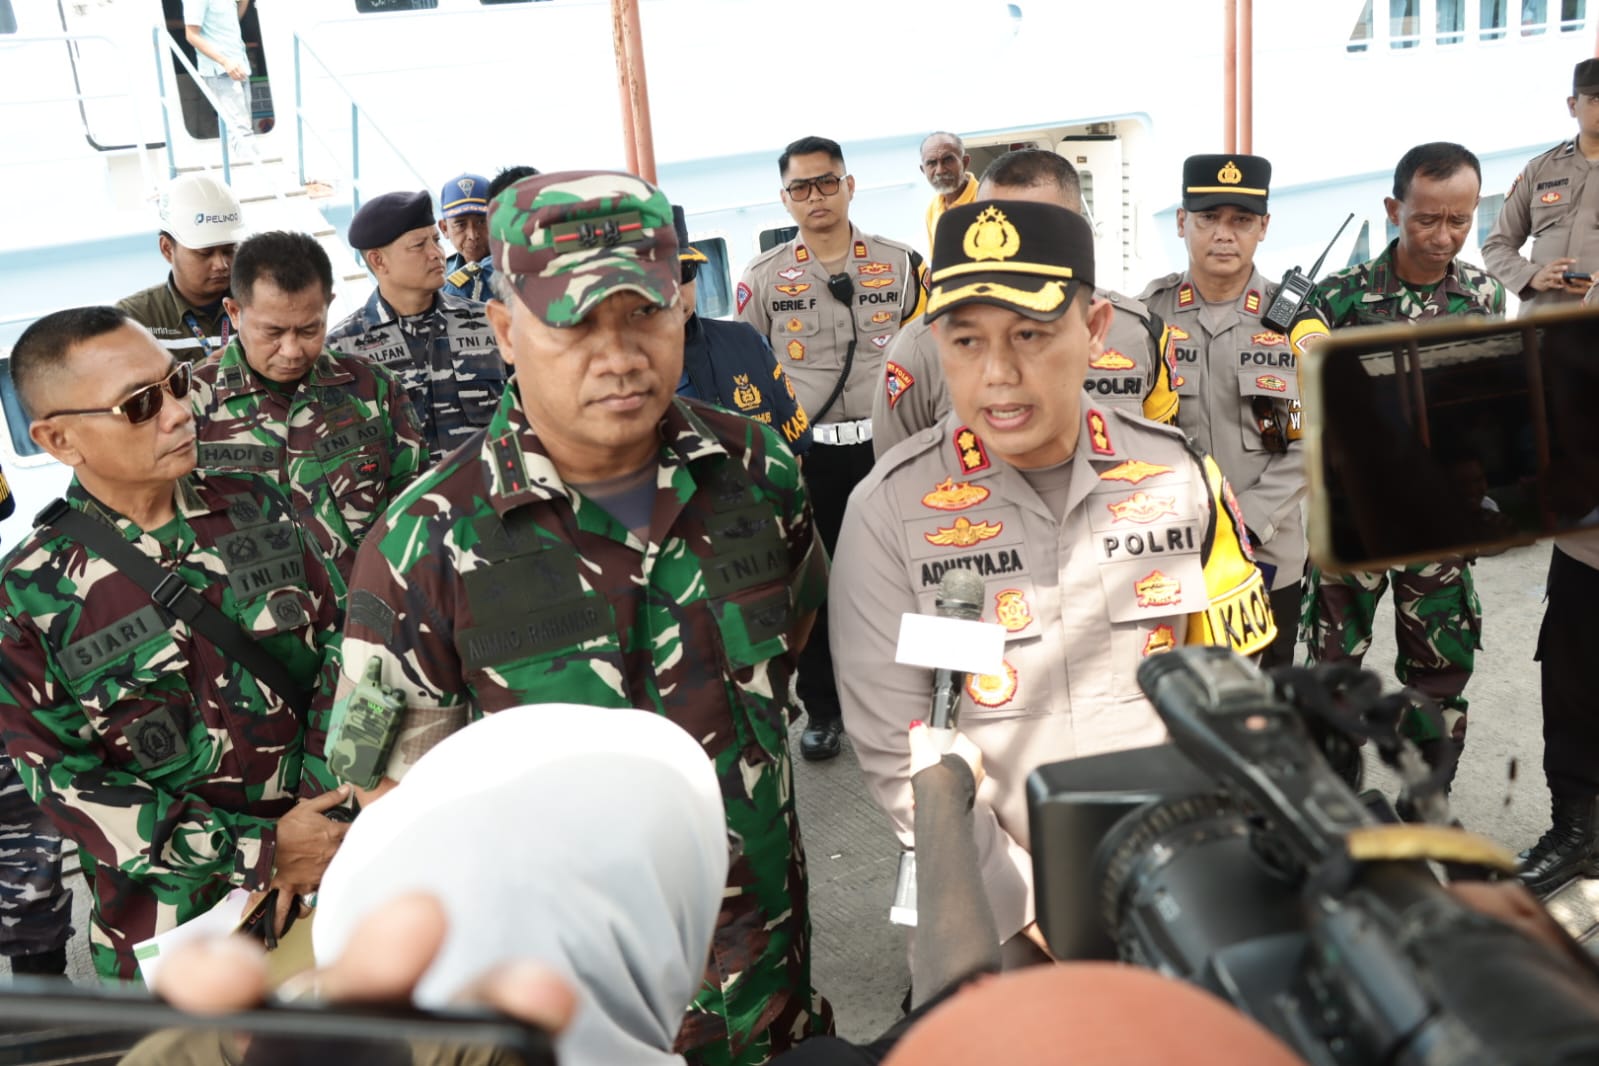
[(130, 680)]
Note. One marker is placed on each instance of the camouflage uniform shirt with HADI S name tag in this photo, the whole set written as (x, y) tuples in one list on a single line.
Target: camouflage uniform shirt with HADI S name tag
[(343, 444)]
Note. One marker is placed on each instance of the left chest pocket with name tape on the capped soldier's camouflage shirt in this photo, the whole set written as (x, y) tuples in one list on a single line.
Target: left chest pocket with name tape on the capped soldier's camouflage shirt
[(536, 630)]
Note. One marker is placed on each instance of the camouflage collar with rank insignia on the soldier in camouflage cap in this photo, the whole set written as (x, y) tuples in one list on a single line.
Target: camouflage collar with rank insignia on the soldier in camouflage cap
[(519, 471)]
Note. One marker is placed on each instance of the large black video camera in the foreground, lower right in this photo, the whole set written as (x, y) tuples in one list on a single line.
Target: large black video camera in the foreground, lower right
[(1235, 857)]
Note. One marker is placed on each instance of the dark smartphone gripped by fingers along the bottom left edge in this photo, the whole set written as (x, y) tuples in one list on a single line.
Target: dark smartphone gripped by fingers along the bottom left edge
[(54, 1022)]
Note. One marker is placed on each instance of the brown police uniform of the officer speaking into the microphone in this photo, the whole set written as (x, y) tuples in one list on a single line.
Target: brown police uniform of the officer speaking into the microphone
[(1142, 549)]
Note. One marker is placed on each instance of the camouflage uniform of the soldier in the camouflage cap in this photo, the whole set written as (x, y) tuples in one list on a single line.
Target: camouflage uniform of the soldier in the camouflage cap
[(490, 584)]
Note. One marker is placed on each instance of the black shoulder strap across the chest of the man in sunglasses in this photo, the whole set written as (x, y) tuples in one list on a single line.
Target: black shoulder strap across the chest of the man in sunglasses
[(173, 595)]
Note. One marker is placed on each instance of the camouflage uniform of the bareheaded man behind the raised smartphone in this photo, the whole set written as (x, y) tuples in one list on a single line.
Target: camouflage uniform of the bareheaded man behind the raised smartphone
[(1437, 611)]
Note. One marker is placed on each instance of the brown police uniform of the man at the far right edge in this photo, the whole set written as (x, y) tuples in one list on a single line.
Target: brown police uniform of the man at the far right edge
[(1555, 201)]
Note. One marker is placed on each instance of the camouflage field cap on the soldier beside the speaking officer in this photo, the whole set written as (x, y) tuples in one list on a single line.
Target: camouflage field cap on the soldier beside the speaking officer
[(570, 241)]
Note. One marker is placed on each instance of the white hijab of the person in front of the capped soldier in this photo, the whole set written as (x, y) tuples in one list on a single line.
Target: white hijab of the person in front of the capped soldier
[(591, 840)]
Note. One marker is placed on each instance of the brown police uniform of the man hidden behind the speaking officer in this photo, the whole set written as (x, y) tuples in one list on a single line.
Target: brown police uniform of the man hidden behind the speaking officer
[(1131, 375)]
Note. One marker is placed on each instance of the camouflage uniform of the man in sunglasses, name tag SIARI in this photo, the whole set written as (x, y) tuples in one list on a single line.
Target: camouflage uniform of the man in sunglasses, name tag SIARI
[(167, 763)]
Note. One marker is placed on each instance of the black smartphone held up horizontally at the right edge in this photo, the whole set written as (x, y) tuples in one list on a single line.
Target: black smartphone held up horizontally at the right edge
[(1457, 437)]
